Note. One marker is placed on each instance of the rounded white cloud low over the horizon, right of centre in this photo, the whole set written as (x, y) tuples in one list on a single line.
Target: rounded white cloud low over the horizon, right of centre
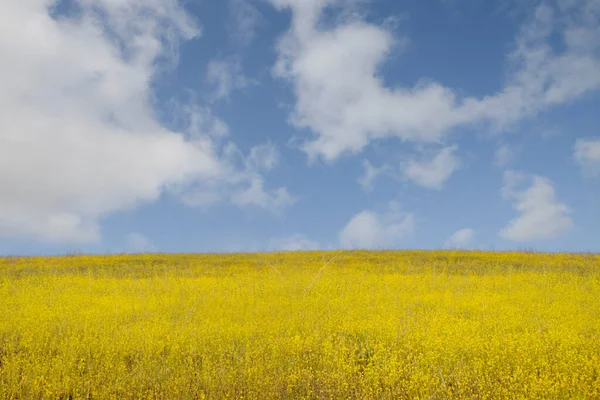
[(372, 230)]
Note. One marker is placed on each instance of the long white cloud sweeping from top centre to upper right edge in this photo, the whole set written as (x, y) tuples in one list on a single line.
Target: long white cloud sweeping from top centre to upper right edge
[(342, 99)]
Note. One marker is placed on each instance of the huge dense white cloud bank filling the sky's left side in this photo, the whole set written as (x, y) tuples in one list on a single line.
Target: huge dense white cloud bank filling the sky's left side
[(79, 137)]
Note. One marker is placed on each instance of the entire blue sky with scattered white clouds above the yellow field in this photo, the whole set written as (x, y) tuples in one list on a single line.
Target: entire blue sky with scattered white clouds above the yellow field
[(253, 125)]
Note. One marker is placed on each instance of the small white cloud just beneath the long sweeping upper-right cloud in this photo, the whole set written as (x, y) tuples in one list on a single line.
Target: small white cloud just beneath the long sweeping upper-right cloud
[(432, 173)]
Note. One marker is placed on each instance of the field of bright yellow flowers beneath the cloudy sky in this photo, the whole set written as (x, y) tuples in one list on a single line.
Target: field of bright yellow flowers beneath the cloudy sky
[(411, 324)]
